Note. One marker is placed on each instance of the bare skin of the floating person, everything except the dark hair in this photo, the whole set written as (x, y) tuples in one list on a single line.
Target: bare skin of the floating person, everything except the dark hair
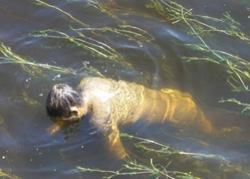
[(113, 104)]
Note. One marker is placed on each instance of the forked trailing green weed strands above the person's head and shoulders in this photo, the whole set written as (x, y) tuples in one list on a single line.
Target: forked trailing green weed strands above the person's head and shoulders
[(97, 48)]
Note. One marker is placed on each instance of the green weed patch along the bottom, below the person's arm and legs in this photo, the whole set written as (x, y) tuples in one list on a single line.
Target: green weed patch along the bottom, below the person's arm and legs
[(159, 160)]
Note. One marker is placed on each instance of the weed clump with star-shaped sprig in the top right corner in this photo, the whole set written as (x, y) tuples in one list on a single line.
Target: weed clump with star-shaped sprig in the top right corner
[(176, 13)]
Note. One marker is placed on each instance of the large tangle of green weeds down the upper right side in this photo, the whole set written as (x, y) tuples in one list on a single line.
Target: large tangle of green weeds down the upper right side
[(201, 26)]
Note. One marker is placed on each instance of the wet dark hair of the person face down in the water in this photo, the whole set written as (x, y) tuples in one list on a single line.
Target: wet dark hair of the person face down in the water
[(60, 99)]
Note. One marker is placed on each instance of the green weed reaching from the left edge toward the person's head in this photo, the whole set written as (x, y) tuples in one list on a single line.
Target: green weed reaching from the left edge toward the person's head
[(11, 58)]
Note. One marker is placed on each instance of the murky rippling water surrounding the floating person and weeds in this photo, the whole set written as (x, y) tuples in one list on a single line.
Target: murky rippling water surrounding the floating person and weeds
[(152, 59)]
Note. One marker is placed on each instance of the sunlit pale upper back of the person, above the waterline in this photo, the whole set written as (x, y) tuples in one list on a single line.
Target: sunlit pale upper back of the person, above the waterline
[(117, 101)]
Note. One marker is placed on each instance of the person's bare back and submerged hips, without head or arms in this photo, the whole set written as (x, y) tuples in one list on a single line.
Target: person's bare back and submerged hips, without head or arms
[(123, 102)]
